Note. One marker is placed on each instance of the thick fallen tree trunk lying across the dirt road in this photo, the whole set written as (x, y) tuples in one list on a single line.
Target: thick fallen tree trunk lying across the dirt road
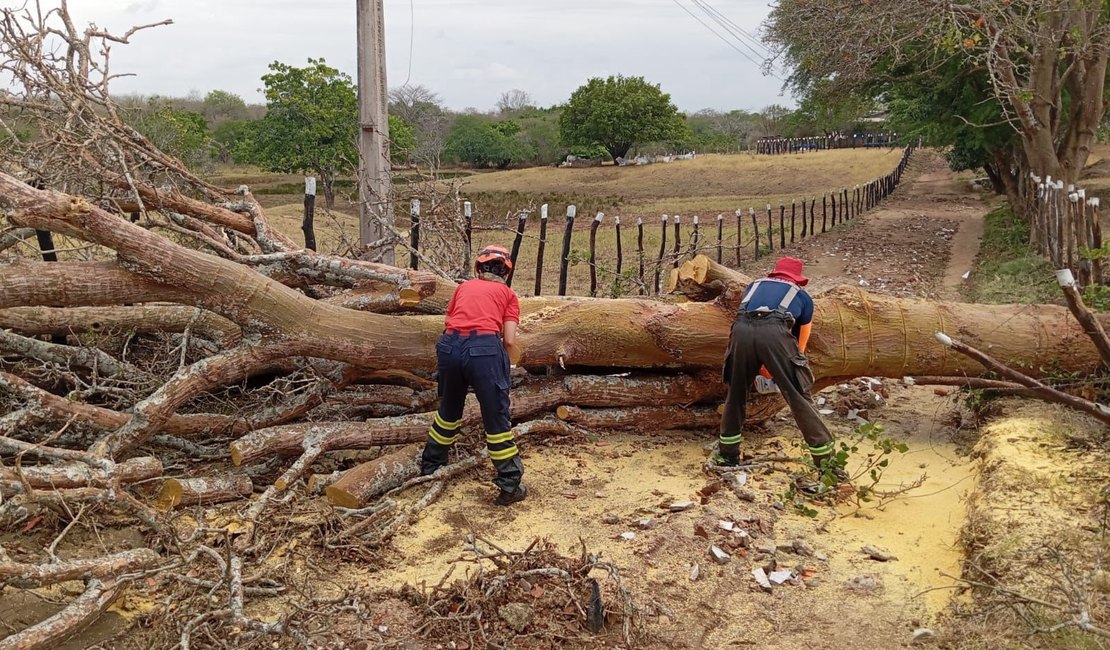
[(855, 333)]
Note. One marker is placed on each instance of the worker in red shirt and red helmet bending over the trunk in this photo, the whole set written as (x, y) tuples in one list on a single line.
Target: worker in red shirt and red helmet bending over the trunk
[(479, 339)]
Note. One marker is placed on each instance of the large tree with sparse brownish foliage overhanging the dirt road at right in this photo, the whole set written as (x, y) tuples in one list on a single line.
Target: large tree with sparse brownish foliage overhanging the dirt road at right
[(1045, 64)]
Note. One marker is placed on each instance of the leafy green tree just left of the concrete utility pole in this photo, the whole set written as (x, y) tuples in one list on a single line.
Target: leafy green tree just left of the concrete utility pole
[(311, 124)]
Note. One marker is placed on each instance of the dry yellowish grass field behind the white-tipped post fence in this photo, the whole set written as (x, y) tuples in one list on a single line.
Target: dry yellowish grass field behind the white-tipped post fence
[(708, 187)]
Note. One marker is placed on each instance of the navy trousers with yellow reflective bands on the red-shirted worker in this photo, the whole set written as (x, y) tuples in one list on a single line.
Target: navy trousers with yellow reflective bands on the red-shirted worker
[(478, 362)]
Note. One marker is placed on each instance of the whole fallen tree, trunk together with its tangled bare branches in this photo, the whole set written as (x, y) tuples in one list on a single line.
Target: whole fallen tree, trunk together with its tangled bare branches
[(162, 352)]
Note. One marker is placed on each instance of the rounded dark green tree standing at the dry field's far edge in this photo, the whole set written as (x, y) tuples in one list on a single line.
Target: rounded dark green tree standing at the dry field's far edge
[(619, 114)]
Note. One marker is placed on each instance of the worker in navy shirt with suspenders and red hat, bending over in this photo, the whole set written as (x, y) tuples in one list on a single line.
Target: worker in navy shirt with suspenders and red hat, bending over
[(770, 338)]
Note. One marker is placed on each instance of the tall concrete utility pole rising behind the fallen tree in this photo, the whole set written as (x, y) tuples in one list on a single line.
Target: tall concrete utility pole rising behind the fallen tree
[(375, 189)]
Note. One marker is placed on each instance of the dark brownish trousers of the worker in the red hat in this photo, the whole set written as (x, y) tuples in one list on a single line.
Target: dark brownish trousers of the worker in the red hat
[(764, 339)]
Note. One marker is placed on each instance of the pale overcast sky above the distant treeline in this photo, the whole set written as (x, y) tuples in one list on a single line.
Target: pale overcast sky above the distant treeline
[(469, 52)]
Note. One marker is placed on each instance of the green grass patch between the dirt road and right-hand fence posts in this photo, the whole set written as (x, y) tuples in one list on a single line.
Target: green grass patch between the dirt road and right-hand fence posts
[(1007, 270)]
